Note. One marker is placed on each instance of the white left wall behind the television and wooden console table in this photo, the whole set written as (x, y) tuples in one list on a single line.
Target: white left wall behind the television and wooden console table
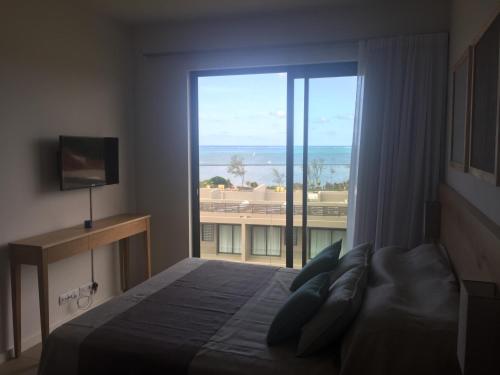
[(62, 71)]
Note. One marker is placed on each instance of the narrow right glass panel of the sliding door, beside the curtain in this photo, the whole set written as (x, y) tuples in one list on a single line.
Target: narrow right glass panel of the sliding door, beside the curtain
[(331, 108)]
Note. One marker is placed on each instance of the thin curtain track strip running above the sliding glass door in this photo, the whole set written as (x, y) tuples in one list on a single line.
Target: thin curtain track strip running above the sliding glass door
[(274, 46)]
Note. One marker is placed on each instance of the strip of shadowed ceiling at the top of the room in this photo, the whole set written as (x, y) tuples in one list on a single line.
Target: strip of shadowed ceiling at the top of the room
[(140, 11)]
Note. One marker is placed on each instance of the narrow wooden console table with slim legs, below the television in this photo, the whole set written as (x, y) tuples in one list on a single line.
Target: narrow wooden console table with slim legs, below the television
[(51, 247)]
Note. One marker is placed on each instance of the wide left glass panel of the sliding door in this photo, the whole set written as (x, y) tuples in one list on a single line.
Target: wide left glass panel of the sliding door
[(242, 137)]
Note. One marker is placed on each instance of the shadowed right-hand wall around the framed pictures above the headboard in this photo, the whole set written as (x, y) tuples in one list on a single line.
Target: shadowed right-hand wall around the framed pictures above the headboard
[(468, 18)]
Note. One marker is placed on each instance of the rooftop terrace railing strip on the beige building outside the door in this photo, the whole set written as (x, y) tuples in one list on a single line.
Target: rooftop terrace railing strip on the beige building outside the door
[(270, 209)]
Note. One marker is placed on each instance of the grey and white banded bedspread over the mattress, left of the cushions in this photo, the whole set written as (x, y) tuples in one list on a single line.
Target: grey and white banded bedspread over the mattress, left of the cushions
[(197, 317)]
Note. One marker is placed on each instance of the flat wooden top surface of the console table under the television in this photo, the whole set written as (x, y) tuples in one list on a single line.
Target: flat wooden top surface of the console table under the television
[(52, 239)]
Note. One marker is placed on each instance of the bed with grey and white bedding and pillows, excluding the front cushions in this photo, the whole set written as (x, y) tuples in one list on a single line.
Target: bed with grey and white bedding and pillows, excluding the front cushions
[(211, 317)]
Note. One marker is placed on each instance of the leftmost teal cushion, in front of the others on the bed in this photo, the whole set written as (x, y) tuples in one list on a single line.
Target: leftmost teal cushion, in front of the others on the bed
[(298, 309)]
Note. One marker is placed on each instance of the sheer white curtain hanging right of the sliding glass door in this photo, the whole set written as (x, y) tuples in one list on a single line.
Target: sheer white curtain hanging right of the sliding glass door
[(398, 143)]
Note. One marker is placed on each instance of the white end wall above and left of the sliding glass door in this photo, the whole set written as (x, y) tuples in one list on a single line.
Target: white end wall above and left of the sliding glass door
[(162, 85)]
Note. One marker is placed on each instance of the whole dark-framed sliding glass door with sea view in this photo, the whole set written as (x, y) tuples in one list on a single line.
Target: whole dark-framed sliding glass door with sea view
[(270, 161)]
